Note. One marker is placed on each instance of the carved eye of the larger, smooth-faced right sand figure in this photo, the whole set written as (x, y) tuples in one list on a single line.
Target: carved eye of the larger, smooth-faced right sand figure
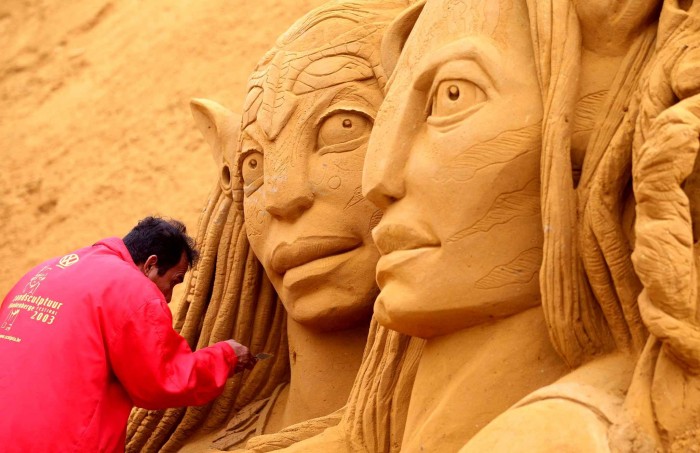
[(452, 97)]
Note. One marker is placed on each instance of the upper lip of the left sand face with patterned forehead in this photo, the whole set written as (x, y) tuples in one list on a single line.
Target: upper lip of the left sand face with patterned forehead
[(304, 250)]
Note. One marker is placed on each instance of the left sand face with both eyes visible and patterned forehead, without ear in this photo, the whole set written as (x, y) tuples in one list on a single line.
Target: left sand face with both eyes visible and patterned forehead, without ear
[(301, 166)]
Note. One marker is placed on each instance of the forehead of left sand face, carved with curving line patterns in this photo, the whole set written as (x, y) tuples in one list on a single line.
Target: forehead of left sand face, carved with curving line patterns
[(330, 51)]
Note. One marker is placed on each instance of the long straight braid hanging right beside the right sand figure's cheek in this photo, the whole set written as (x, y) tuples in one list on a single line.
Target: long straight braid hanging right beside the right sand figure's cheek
[(576, 325)]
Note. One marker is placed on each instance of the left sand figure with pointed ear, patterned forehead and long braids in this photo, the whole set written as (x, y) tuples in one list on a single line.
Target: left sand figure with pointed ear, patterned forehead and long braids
[(286, 221)]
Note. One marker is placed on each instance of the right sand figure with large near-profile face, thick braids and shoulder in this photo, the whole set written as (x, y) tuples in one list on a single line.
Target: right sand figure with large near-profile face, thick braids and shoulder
[(534, 162)]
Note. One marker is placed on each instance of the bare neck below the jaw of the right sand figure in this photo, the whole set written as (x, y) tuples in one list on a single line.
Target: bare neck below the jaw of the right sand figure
[(465, 379)]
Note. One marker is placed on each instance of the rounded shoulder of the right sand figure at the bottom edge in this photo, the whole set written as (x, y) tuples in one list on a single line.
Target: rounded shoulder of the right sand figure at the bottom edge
[(573, 414)]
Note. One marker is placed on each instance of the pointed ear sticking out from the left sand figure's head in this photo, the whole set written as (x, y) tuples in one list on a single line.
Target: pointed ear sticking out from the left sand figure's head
[(218, 125)]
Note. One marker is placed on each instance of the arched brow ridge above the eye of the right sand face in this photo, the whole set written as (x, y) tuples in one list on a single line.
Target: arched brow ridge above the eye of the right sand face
[(481, 51)]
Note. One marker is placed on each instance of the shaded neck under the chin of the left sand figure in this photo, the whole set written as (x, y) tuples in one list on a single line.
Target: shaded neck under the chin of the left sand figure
[(323, 369)]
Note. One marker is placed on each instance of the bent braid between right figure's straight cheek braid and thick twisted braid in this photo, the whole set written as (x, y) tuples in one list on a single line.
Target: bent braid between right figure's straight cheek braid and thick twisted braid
[(603, 195)]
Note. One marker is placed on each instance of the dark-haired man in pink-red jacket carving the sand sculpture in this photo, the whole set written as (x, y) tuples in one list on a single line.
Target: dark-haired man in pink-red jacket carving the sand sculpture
[(86, 336)]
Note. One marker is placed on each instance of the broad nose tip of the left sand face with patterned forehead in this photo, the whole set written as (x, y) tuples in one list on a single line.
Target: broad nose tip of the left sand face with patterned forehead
[(288, 194)]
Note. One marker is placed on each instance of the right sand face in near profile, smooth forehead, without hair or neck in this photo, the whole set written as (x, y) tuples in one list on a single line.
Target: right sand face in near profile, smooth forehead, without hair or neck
[(454, 165)]
